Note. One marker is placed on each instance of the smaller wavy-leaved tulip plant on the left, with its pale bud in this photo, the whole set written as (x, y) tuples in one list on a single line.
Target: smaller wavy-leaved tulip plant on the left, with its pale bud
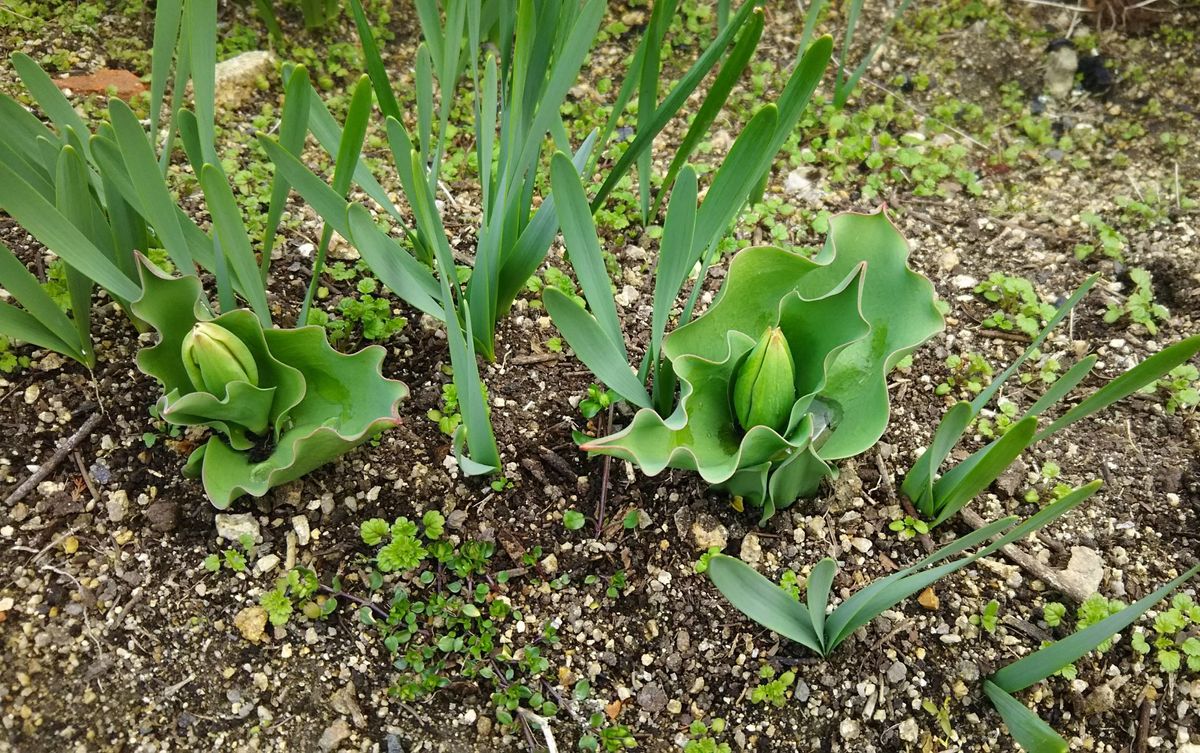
[(280, 402)]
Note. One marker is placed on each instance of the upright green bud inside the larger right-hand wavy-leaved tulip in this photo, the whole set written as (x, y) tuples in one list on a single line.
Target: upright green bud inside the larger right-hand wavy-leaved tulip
[(765, 385)]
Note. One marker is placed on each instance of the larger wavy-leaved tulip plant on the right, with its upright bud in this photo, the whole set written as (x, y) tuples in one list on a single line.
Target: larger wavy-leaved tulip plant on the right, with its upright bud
[(787, 372)]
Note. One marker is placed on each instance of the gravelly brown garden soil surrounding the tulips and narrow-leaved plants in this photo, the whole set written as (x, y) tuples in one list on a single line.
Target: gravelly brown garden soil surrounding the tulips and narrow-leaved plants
[(116, 636)]
